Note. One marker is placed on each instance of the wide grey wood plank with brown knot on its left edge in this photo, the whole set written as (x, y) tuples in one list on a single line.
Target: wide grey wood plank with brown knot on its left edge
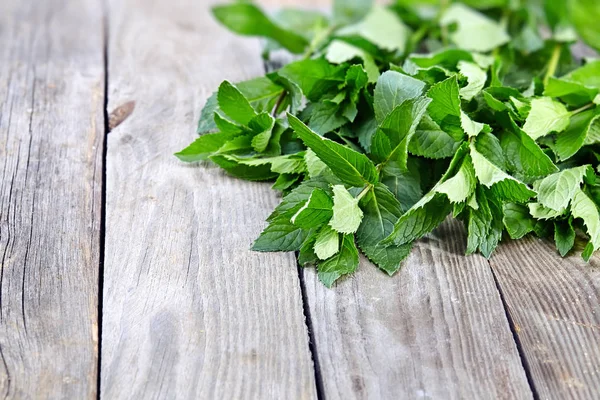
[(189, 311)]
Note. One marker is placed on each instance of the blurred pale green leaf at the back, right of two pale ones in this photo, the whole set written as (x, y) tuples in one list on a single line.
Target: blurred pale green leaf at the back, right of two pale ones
[(474, 31)]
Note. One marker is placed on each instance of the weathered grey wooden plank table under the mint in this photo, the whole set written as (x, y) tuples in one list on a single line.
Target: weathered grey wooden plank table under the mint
[(126, 275)]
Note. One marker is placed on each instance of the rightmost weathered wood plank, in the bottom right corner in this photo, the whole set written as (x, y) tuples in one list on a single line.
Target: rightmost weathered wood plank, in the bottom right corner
[(555, 306)]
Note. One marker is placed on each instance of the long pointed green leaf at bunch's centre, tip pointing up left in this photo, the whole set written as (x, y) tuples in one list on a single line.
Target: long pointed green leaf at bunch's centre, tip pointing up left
[(351, 167)]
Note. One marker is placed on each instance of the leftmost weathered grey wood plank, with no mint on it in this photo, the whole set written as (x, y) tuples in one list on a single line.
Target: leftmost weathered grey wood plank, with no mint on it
[(51, 140)]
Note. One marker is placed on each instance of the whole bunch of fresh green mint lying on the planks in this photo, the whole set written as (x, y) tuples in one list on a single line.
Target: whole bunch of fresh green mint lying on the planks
[(392, 118)]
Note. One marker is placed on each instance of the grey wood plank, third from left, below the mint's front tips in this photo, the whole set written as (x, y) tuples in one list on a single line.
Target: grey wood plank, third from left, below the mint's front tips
[(436, 330)]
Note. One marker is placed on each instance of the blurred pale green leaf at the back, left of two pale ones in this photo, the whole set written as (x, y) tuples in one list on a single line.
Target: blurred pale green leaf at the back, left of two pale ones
[(383, 28)]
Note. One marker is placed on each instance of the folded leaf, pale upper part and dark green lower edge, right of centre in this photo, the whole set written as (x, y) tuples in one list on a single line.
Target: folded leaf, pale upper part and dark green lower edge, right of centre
[(503, 185)]
